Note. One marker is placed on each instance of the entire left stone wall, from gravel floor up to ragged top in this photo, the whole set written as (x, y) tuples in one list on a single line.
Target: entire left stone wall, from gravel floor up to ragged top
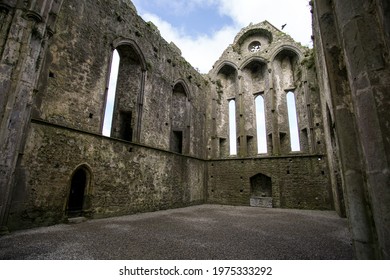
[(68, 111)]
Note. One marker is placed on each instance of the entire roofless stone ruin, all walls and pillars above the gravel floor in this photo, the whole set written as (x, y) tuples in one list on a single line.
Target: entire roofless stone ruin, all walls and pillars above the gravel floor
[(180, 138)]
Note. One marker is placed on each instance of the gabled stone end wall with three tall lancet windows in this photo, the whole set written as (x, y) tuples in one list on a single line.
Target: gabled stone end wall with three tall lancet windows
[(263, 61)]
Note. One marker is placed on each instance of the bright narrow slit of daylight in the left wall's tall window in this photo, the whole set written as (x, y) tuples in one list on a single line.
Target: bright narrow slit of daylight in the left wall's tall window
[(111, 94)]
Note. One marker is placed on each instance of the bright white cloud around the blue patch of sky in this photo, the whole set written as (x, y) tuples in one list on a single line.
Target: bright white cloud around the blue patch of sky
[(202, 51)]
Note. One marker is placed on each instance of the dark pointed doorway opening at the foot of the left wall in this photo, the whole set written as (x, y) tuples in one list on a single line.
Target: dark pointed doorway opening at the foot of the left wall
[(76, 195)]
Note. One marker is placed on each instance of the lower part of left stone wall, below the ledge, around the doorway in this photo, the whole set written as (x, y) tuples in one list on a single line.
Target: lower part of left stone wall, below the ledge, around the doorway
[(124, 177)]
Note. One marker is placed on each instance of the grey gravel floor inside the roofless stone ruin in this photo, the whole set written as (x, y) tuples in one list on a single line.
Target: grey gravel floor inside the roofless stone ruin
[(198, 232)]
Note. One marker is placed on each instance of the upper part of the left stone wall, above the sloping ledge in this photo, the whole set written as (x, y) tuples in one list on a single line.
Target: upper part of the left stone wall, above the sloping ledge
[(78, 65)]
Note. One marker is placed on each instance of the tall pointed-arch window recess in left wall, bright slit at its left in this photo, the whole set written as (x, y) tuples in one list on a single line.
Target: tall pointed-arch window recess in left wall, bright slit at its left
[(124, 103)]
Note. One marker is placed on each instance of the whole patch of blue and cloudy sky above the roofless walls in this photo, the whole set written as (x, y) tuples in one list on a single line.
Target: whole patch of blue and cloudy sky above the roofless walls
[(203, 29)]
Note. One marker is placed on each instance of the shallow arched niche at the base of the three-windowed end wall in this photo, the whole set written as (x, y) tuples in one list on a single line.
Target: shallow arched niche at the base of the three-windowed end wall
[(261, 191)]
